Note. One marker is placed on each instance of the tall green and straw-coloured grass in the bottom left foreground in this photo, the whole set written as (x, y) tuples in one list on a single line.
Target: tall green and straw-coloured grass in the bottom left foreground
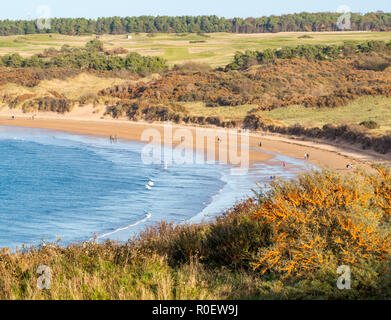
[(93, 272)]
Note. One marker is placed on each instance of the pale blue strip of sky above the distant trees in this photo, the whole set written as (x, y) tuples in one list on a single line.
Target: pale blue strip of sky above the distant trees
[(24, 9)]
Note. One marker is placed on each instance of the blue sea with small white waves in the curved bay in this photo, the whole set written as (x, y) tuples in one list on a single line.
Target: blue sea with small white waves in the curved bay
[(57, 187)]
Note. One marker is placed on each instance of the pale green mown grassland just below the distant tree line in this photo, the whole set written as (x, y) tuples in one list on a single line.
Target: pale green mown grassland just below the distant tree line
[(216, 49)]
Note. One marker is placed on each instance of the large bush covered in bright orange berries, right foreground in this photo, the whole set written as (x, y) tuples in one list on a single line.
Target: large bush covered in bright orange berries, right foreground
[(324, 219)]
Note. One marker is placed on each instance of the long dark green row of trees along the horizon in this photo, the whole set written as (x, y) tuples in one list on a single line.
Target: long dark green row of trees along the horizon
[(324, 21)]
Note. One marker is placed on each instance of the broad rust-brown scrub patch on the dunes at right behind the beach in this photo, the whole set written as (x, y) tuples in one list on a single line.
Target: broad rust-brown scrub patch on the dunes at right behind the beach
[(282, 83)]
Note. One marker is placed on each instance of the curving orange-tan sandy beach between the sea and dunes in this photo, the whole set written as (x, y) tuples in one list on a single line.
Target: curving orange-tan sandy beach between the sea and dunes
[(323, 155)]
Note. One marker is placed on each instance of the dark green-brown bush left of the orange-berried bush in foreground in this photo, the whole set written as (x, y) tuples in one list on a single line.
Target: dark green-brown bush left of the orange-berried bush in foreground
[(232, 241)]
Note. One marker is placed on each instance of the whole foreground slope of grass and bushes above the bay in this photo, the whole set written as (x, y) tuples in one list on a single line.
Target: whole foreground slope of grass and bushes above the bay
[(286, 243)]
